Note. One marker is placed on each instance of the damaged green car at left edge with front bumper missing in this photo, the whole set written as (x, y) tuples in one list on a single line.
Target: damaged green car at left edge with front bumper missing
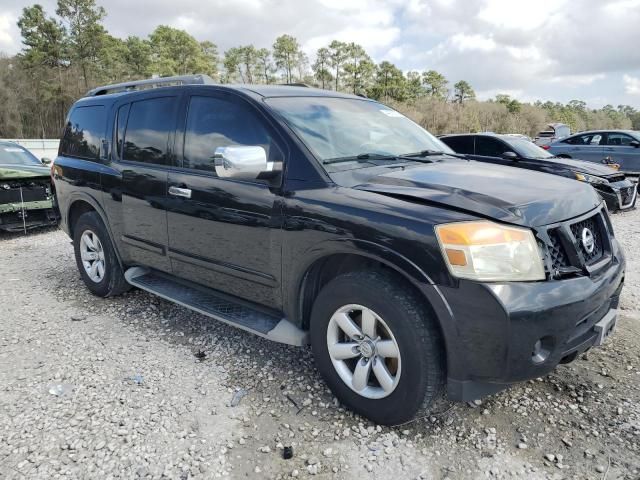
[(25, 190)]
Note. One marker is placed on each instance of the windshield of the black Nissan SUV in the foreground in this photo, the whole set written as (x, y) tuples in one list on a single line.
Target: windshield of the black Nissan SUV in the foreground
[(342, 128)]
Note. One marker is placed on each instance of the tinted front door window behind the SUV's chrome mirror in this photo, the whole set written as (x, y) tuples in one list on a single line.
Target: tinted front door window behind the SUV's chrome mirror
[(213, 123)]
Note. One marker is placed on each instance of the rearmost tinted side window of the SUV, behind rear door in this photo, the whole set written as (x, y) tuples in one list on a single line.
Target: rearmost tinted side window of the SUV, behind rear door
[(84, 132)]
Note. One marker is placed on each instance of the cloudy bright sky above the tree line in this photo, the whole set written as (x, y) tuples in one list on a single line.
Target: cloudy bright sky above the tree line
[(532, 49)]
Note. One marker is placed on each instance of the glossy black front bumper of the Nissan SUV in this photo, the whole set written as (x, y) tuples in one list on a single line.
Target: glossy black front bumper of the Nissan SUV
[(498, 326)]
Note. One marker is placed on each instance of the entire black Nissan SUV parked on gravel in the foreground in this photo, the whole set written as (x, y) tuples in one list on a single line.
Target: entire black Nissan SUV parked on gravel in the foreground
[(308, 216)]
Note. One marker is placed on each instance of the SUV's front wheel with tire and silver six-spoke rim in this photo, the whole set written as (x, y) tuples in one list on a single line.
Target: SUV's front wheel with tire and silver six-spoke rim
[(377, 346)]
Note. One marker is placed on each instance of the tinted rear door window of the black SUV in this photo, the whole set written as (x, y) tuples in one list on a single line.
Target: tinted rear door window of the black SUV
[(150, 130)]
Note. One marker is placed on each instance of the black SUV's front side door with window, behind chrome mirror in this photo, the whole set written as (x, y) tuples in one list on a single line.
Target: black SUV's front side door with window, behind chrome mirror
[(225, 233)]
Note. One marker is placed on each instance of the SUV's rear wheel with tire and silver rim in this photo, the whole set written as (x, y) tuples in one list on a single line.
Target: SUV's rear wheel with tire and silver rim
[(96, 258)]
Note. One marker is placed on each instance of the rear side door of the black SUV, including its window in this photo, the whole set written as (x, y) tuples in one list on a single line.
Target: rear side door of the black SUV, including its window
[(144, 147)]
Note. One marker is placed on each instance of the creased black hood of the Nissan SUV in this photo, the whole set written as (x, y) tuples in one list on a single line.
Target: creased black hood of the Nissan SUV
[(512, 195)]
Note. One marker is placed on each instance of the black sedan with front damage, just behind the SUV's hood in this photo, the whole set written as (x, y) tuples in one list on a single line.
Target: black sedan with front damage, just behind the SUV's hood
[(618, 191)]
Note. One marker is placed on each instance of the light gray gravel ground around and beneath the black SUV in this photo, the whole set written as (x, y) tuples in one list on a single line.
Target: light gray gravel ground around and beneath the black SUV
[(136, 387)]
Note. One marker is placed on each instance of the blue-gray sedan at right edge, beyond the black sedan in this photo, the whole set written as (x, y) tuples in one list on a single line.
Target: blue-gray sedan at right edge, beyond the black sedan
[(602, 146)]
